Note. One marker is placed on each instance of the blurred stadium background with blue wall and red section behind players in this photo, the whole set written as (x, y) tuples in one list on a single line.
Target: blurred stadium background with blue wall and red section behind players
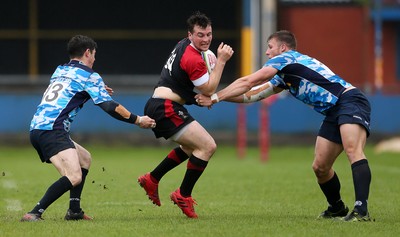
[(357, 39)]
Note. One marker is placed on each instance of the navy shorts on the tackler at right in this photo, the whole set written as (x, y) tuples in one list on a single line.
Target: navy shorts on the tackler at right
[(352, 108)]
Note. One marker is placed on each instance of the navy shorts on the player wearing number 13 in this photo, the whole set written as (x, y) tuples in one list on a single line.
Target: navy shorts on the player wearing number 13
[(50, 142)]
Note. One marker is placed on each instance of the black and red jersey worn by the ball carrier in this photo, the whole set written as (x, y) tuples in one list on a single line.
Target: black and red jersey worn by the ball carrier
[(184, 69)]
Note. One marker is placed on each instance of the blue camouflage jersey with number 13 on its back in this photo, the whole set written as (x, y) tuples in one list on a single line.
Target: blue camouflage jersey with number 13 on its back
[(71, 85)]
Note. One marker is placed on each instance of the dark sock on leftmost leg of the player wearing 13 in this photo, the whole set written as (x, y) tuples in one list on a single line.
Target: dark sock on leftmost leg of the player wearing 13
[(56, 190)]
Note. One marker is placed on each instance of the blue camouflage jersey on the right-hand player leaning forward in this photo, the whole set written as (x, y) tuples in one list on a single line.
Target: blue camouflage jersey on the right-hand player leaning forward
[(307, 79)]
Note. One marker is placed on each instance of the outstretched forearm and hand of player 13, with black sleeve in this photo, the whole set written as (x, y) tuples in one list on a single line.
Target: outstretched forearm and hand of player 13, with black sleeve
[(119, 112)]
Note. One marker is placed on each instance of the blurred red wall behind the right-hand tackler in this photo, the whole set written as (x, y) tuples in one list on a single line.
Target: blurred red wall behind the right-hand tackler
[(342, 37)]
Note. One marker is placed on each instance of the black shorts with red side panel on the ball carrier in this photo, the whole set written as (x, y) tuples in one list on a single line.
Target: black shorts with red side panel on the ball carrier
[(169, 116)]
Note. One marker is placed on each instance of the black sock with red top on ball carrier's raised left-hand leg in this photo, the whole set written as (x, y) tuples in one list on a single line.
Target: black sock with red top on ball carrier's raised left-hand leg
[(174, 158)]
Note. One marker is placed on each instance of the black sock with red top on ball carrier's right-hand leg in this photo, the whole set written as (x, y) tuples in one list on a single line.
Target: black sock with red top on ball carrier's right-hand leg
[(195, 168)]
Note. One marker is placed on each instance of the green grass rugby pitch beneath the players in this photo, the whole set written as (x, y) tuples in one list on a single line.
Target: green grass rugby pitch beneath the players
[(236, 197)]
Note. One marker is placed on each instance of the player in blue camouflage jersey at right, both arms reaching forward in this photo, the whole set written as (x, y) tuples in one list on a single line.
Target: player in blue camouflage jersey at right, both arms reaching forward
[(346, 110)]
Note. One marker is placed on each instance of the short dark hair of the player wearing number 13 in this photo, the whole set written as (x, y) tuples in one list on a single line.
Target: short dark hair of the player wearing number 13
[(78, 44)]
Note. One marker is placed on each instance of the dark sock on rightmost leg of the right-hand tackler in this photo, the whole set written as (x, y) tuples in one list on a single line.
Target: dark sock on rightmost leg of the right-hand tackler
[(361, 181)]
